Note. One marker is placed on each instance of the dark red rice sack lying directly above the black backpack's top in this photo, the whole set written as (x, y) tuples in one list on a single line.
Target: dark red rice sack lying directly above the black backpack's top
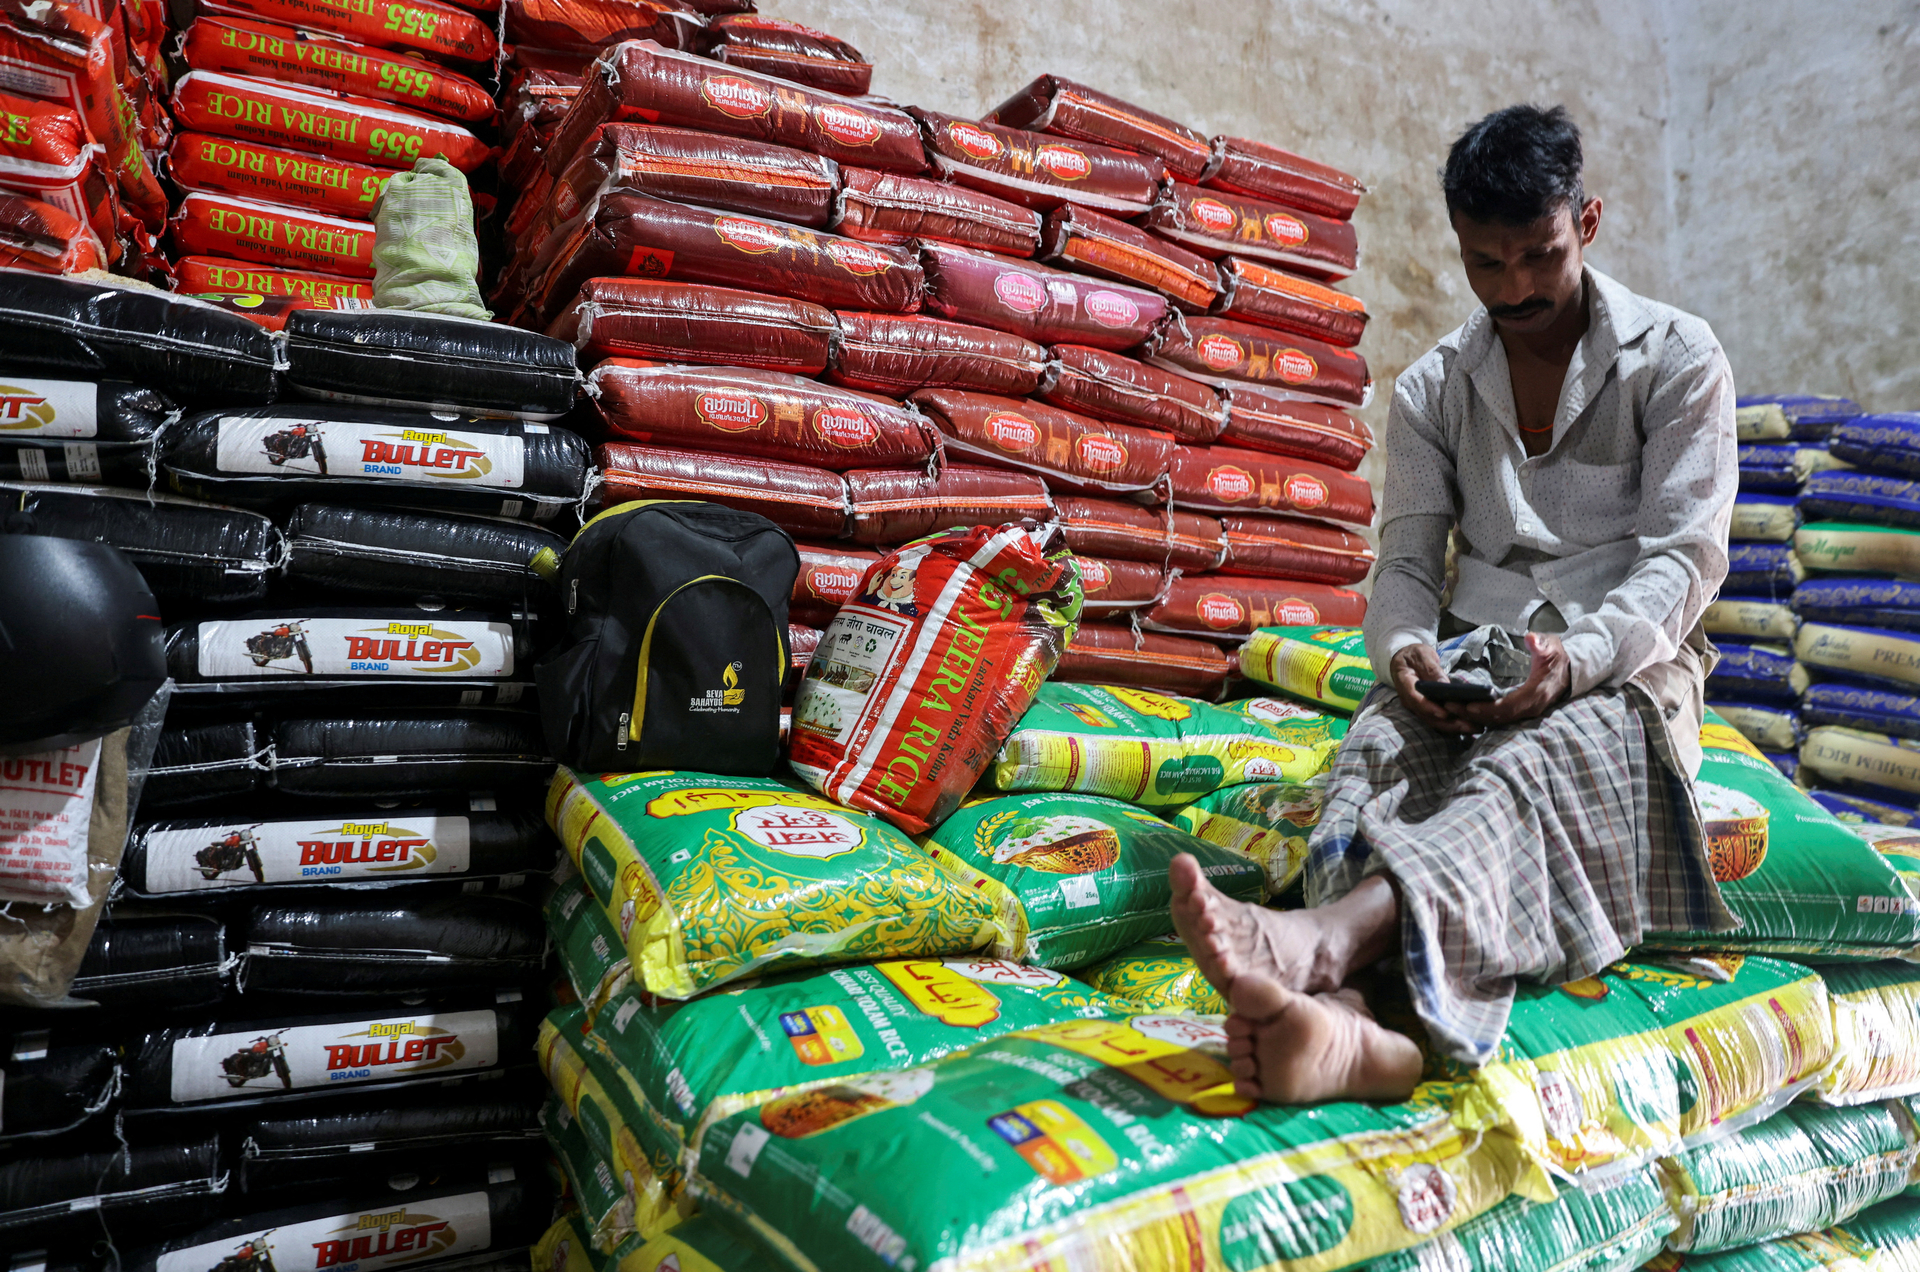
[(802, 501)]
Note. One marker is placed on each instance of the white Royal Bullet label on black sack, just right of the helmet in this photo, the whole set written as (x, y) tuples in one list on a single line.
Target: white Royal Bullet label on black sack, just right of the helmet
[(270, 647)]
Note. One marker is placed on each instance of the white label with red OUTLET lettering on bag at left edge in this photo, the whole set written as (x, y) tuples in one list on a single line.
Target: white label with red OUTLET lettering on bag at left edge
[(47, 808)]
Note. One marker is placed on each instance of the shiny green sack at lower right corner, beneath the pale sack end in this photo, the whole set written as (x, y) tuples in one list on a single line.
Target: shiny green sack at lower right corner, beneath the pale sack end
[(1800, 1171)]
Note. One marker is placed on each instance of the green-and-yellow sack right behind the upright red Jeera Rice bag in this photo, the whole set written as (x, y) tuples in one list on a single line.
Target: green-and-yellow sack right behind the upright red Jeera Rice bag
[(1159, 750)]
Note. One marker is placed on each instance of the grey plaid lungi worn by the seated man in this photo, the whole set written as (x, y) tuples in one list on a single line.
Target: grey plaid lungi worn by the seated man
[(1535, 852)]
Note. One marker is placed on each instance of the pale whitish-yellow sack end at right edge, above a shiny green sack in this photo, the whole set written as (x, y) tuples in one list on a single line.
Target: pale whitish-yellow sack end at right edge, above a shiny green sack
[(1877, 1033)]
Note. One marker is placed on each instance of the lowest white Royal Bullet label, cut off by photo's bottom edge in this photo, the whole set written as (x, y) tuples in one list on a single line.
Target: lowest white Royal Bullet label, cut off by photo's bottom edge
[(393, 1236)]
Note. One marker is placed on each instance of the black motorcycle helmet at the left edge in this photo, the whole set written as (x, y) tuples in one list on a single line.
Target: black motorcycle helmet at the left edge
[(82, 643)]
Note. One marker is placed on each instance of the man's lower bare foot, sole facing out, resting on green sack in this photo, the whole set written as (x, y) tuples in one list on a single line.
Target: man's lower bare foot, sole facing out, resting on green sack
[(1308, 1048)]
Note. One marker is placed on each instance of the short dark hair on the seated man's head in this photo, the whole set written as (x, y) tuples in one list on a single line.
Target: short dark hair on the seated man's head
[(1516, 166)]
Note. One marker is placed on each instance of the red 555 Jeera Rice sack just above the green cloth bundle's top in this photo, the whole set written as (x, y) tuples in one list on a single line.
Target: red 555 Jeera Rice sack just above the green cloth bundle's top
[(329, 124)]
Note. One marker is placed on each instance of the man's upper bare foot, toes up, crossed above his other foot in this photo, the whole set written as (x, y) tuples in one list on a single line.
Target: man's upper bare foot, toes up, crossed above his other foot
[(1310, 952)]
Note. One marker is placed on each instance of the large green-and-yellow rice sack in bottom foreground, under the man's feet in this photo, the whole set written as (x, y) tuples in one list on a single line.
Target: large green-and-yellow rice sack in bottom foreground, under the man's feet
[(1097, 1144)]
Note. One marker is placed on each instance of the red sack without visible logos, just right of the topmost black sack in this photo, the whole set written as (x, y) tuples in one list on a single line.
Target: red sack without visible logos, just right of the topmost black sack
[(686, 322)]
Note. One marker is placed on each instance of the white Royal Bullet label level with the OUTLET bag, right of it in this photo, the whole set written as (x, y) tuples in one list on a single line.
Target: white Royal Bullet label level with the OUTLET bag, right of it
[(400, 846)]
